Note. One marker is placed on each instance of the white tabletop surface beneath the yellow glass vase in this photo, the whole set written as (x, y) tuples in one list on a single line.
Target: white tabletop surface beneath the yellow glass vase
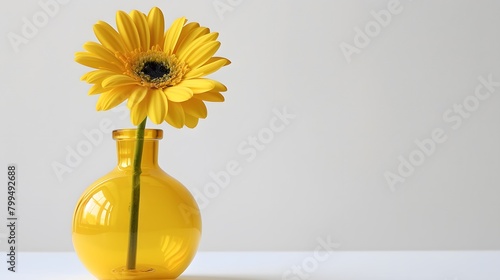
[(458, 265)]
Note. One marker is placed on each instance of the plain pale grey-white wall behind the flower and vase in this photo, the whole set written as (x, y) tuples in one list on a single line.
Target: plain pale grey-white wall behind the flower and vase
[(323, 175)]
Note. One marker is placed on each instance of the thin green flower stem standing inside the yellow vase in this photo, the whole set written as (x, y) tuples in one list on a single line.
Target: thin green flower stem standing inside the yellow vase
[(136, 195)]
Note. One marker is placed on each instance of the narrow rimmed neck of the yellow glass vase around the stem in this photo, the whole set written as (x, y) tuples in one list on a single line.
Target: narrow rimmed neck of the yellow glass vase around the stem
[(126, 143)]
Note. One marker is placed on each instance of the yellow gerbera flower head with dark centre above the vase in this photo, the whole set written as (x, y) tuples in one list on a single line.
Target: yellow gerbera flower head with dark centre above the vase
[(160, 73)]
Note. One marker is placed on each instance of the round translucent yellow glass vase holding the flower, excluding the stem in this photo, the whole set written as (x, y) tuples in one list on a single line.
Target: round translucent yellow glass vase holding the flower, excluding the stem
[(169, 227)]
